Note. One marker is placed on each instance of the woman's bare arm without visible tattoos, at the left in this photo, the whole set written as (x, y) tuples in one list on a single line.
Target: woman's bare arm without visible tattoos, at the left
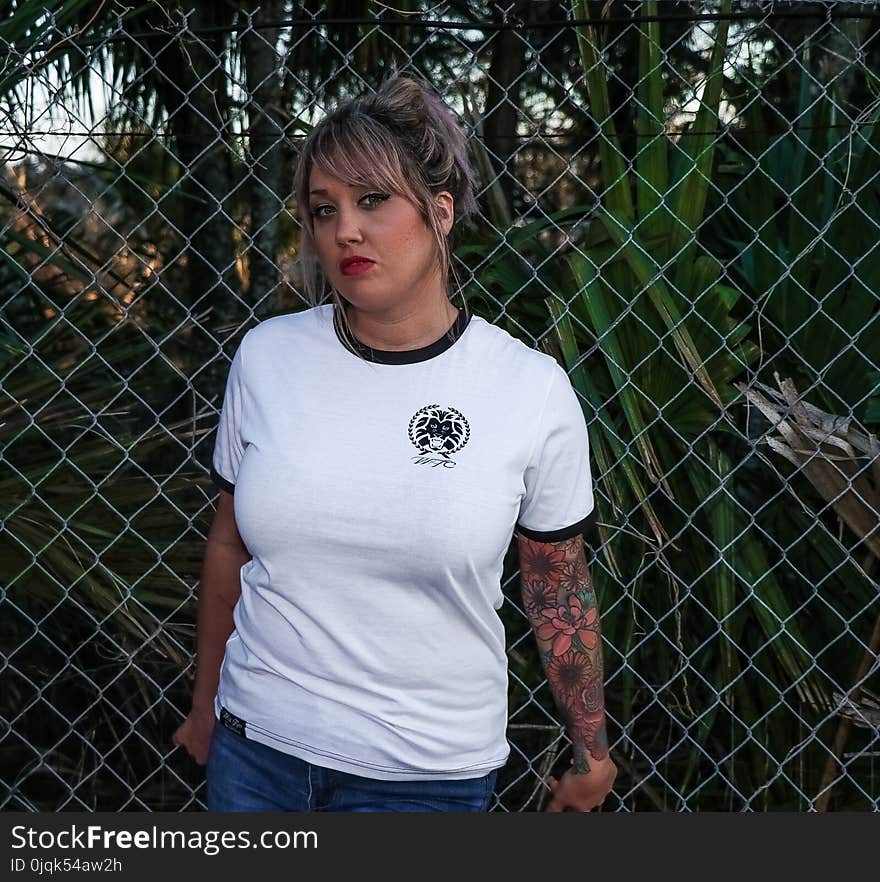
[(219, 590)]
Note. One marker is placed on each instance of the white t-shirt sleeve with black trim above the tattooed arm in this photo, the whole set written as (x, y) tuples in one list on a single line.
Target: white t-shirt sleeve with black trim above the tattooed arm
[(558, 502)]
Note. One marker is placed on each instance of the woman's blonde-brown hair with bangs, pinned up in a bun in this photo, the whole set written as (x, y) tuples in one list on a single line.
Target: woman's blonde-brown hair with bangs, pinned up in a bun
[(402, 138)]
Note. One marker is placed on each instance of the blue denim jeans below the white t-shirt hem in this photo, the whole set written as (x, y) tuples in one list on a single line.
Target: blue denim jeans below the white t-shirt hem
[(246, 776)]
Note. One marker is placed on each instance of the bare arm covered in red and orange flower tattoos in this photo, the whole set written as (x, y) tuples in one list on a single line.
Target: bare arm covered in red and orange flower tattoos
[(562, 609)]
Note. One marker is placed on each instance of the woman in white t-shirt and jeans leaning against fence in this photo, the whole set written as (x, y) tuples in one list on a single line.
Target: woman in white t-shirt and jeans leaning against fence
[(373, 457)]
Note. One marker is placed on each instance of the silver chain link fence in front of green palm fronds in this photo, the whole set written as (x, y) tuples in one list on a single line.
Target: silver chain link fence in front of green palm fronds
[(679, 201)]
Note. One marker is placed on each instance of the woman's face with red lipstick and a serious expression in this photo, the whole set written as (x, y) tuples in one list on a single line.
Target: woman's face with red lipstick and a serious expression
[(385, 228)]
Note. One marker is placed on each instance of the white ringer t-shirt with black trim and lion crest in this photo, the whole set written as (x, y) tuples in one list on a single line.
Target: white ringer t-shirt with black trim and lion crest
[(378, 499)]
